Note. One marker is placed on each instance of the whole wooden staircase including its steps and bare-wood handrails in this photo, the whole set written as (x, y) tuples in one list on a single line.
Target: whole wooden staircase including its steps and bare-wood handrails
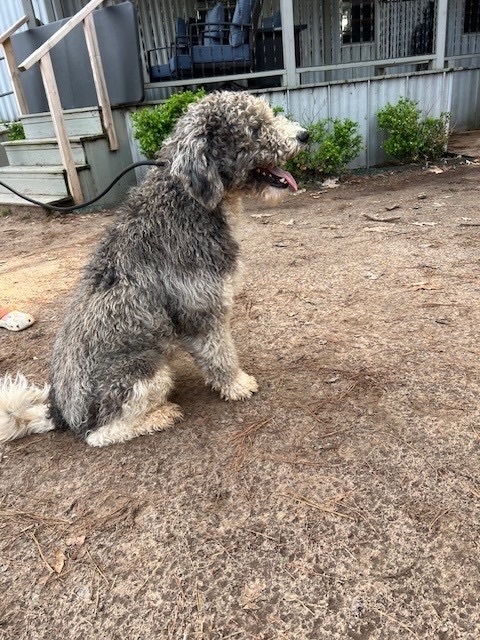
[(67, 154)]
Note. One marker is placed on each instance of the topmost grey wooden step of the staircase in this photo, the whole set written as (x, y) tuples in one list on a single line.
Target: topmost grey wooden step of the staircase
[(78, 122)]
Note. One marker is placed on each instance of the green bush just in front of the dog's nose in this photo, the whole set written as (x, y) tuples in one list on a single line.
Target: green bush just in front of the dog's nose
[(333, 143)]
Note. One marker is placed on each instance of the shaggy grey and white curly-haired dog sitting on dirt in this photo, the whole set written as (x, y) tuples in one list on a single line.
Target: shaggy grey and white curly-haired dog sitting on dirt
[(164, 275)]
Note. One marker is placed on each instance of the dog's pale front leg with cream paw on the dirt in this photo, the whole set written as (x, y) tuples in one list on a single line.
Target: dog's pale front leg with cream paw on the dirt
[(216, 355)]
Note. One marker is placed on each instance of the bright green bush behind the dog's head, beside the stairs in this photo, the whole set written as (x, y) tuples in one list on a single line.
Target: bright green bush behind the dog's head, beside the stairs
[(152, 125)]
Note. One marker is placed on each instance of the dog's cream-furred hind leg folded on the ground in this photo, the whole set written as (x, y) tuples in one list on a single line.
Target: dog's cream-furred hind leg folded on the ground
[(145, 412)]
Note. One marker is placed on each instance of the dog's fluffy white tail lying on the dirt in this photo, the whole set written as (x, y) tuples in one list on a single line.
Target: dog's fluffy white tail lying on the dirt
[(23, 408)]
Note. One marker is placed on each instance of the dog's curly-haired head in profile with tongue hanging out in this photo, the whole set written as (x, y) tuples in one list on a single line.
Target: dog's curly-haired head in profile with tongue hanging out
[(233, 141)]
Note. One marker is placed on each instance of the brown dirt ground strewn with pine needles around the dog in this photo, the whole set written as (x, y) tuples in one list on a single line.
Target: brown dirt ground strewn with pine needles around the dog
[(341, 502)]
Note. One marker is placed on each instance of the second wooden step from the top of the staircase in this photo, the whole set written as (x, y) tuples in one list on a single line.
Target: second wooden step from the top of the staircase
[(41, 152)]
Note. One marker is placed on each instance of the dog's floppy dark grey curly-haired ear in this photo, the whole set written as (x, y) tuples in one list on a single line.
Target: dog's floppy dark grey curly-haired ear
[(197, 171)]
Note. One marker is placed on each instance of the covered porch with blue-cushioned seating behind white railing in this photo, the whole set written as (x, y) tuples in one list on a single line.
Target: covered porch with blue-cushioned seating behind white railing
[(268, 44)]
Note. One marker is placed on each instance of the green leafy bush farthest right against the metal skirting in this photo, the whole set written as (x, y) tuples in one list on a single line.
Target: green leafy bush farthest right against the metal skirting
[(411, 138)]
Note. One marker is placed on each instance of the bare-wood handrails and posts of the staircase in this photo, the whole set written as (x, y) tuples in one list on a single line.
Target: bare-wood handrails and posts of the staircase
[(42, 56)]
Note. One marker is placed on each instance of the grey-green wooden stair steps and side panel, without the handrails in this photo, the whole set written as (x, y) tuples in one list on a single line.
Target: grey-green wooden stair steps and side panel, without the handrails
[(35, 165)]
